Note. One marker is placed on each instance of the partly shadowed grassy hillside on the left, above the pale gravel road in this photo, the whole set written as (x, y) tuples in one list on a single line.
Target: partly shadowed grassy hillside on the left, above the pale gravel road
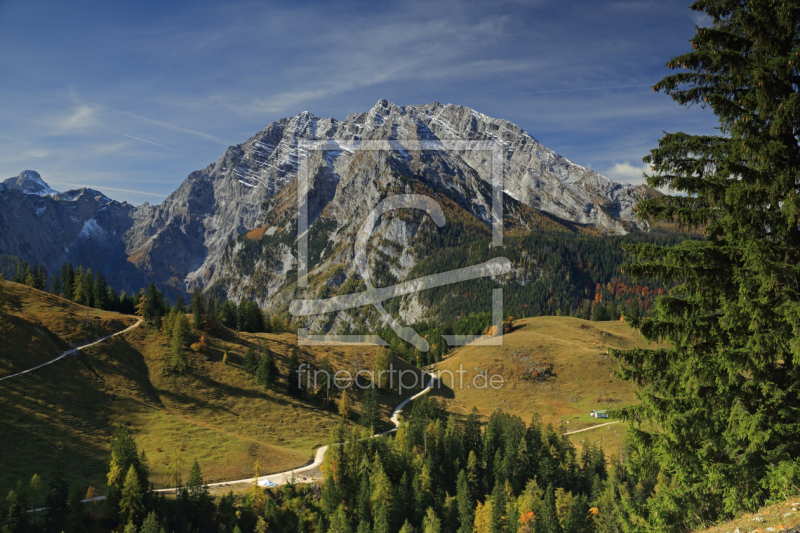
[(215, 413)]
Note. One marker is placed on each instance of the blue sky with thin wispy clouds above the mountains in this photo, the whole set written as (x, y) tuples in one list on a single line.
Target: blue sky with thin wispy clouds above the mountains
[(129, 98)]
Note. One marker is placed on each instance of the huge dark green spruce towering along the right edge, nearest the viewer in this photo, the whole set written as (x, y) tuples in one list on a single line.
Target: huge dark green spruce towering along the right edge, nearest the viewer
[(728, 383)]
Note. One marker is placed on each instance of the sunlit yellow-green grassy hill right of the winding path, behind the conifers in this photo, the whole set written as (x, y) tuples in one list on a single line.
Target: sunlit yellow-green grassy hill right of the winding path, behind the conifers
[(582, 380)]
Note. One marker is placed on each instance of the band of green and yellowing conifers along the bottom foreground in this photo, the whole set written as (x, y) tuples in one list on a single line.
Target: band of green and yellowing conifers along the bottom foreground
[(438, 474)]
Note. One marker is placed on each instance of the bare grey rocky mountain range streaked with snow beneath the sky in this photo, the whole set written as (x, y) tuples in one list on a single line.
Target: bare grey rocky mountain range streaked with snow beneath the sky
[(192, 238)]
